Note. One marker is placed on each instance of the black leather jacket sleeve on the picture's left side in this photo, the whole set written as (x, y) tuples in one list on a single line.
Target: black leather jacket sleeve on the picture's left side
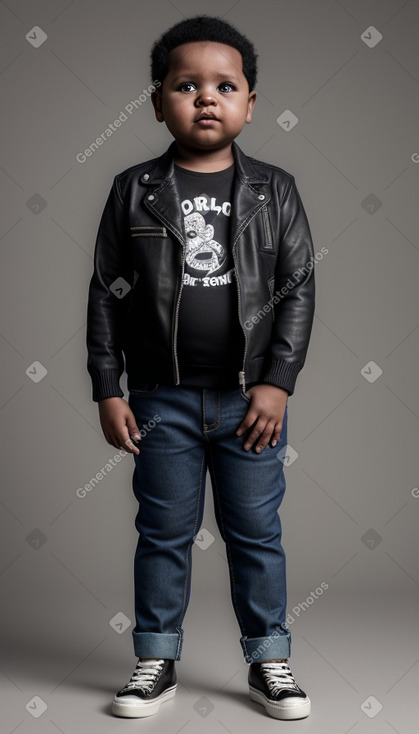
[(107, 300)]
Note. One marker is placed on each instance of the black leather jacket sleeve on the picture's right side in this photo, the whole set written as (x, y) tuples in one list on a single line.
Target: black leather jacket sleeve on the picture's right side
[(294, 295)]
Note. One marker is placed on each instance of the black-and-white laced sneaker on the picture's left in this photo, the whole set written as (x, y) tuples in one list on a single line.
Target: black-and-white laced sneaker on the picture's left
[(152, 682)]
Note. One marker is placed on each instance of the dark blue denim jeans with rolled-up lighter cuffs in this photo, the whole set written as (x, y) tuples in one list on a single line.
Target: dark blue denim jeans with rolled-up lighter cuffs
[(186, 430)]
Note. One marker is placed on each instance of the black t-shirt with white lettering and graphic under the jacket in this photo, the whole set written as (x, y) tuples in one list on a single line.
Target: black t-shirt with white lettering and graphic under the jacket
[(210, 338)]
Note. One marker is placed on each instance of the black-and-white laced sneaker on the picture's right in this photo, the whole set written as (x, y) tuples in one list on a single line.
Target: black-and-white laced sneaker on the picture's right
[(273, 685)]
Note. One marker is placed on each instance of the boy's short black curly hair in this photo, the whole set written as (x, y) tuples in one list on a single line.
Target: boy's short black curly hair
[(202, 28)]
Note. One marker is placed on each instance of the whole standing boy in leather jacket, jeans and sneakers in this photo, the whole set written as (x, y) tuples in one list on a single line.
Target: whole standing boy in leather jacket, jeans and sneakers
[(201, 291)]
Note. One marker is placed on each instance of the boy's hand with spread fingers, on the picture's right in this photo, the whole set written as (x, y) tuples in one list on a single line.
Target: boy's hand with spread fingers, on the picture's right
[(265, 414)]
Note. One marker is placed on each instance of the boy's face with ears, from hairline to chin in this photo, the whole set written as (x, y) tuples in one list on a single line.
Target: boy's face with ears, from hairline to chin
[(205, 100)]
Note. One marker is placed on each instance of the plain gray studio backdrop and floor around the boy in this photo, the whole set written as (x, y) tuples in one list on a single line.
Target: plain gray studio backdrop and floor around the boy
[(347, 73)]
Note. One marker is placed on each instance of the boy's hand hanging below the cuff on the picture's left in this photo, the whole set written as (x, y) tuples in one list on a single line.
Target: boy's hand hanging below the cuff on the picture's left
[(118, 424)]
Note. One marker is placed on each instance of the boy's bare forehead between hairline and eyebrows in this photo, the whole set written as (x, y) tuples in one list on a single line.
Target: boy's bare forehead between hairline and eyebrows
[(208, 56)]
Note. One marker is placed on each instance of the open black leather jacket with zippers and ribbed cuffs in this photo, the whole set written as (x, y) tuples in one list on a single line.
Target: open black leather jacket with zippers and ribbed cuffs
[(136, 286)]
